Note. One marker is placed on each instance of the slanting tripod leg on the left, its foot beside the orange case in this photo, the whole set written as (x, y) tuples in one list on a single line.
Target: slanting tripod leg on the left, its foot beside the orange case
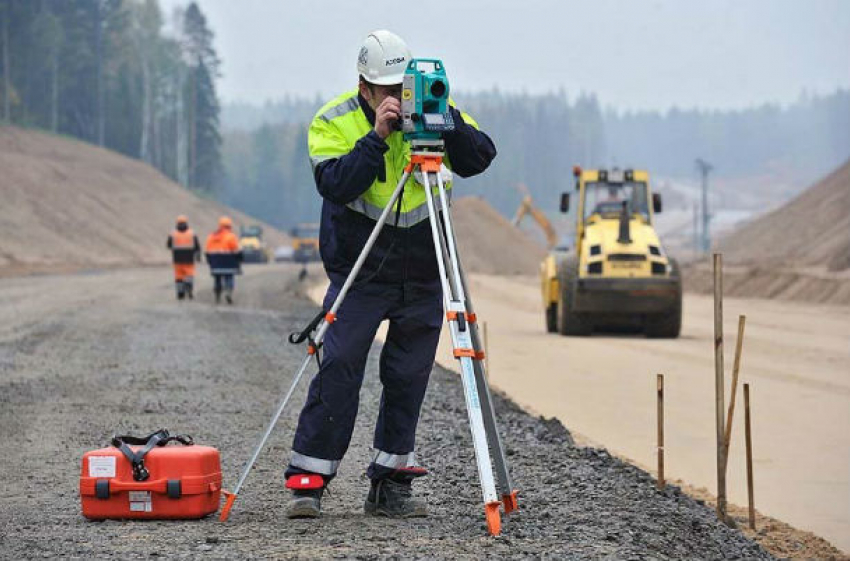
[(320, 334)]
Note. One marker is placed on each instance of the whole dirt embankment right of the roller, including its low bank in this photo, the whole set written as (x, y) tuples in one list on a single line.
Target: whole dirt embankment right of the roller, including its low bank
[(800, 251)]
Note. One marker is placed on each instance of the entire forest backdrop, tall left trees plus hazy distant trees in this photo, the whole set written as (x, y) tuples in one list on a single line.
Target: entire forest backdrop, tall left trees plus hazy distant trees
[(120, 74)]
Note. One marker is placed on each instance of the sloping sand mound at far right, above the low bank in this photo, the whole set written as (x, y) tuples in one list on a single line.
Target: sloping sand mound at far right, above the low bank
[(813, 229)]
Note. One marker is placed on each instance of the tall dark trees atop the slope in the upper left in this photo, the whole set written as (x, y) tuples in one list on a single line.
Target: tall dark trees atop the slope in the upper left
[(108, 72)]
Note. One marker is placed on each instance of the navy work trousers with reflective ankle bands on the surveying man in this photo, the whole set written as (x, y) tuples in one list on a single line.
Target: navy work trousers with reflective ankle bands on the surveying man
[(327, 420)]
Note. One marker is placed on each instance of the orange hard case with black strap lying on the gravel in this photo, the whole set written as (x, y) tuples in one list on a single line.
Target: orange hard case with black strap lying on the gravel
[(145, 478)]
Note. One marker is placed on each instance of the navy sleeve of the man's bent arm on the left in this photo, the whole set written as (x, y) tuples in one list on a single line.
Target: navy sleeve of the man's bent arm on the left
[(343, 179)]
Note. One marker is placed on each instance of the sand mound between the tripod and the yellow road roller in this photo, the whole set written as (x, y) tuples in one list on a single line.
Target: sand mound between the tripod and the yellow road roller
[(490, 244)]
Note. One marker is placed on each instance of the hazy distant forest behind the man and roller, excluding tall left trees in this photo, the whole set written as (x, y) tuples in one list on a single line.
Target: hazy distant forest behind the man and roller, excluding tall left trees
[(540, 138)]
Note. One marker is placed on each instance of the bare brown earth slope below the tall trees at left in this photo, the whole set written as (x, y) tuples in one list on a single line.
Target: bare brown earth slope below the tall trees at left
[(68, 205)]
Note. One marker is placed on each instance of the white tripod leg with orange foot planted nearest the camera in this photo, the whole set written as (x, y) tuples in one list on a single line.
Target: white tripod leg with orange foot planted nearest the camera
[(463, 351)]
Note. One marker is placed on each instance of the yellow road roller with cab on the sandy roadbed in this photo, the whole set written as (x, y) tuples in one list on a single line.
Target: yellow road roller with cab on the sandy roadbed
[(617, 273)]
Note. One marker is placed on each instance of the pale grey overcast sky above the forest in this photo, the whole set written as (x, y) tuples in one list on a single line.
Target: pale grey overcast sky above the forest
[(632, 53)]
